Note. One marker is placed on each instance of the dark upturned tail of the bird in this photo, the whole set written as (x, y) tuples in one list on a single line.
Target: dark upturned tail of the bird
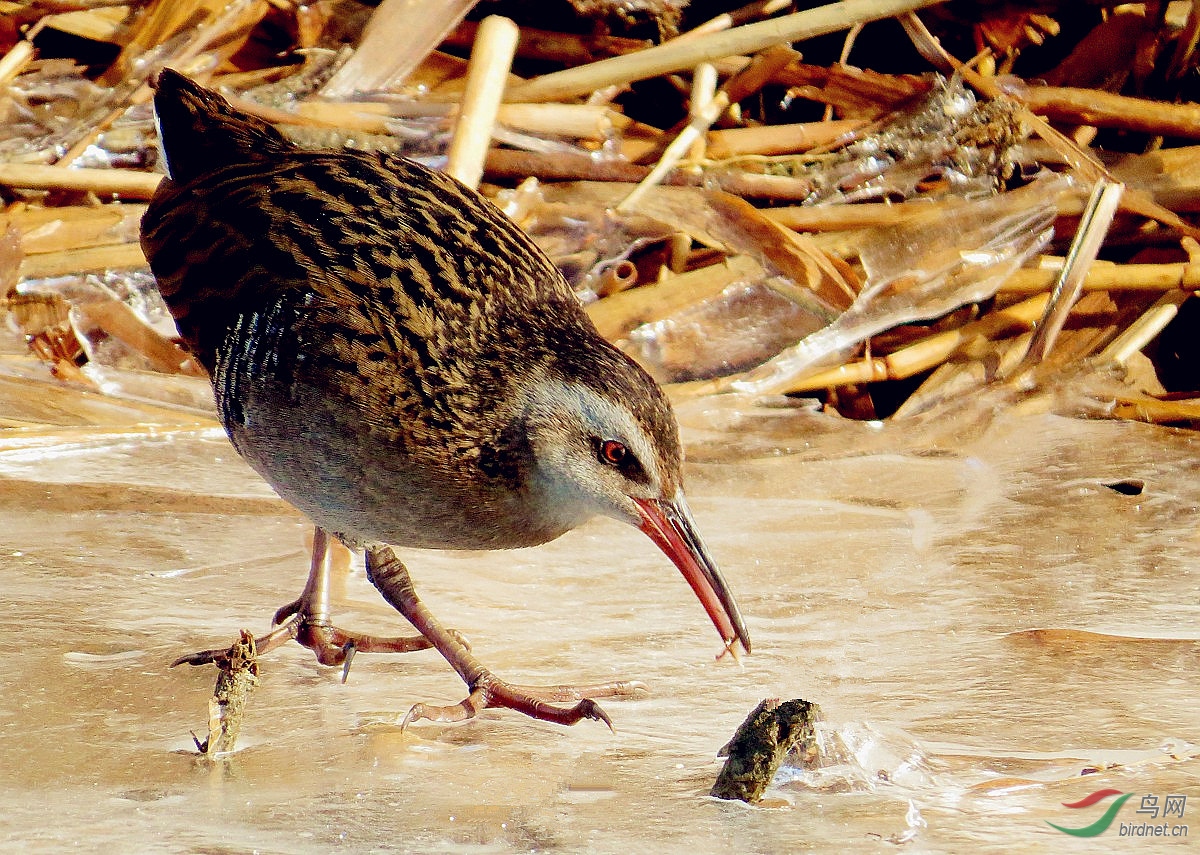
[(200, 131)]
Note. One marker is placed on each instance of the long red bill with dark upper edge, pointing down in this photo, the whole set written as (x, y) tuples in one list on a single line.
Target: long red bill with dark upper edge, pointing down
[(670, 525)]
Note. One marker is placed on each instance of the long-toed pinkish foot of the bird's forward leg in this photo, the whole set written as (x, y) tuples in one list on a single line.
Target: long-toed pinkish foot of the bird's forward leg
[(490, 692)]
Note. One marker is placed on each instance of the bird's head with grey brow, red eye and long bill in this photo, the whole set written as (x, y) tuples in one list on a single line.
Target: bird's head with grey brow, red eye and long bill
[(608, 445)]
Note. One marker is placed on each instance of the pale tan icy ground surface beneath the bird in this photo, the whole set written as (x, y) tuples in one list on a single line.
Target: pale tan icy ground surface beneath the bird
[(895, 575)]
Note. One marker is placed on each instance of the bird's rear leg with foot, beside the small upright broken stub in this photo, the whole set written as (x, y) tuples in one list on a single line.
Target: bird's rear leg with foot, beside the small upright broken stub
[(308, 621)]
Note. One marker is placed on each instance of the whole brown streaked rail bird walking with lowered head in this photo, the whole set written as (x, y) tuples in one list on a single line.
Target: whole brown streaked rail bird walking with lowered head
[(403, 364)]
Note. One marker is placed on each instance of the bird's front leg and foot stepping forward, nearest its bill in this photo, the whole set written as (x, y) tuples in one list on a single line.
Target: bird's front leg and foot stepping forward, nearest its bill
[(487, 691)]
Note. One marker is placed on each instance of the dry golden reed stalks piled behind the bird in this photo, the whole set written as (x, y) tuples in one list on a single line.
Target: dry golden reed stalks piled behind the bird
[(931, 198)]
